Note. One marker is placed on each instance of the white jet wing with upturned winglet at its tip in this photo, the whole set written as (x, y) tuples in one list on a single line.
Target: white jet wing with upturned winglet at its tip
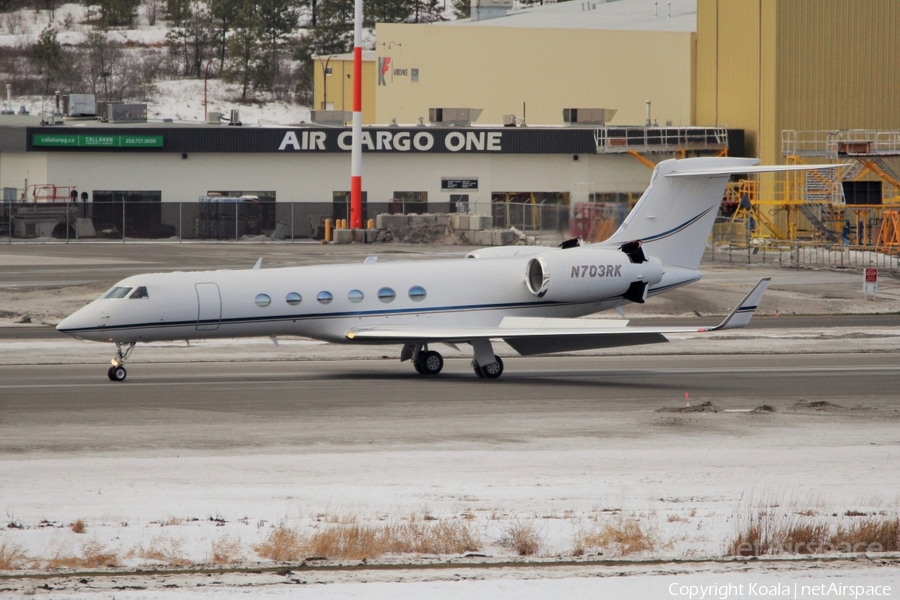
[(529, 335)]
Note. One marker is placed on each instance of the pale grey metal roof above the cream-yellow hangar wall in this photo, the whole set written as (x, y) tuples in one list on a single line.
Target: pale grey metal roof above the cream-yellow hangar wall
[(633, 15)]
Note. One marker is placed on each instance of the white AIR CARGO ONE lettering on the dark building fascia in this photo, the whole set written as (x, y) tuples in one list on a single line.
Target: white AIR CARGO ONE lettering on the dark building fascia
[(400, 140)]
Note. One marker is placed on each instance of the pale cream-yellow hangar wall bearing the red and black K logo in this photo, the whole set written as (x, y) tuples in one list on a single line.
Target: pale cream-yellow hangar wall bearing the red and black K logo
[(497, 69)]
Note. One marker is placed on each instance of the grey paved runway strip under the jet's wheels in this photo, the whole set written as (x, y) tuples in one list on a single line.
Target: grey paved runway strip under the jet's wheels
[(234, 406)]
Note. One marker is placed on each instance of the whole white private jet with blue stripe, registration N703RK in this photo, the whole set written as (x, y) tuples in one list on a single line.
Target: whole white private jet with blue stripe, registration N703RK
[(528, 297)]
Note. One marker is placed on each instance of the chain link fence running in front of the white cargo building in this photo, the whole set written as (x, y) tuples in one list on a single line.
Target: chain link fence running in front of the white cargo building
[(234, 219)]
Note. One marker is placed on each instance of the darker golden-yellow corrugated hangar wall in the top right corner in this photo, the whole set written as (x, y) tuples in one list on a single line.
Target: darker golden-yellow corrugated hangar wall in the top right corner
[(765, 66)]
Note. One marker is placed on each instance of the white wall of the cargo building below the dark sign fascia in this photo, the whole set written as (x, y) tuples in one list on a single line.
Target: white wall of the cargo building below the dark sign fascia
[(314, 178)]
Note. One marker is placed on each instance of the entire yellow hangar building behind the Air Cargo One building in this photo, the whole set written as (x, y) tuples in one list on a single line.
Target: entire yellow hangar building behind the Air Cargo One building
[(764, 66)]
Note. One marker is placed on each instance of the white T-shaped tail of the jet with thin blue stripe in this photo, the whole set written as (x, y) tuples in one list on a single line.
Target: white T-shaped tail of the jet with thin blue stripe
[(674, 217)]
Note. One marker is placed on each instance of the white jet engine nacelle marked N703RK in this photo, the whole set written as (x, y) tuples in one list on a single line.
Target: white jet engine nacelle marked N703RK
[(588, 274)]
